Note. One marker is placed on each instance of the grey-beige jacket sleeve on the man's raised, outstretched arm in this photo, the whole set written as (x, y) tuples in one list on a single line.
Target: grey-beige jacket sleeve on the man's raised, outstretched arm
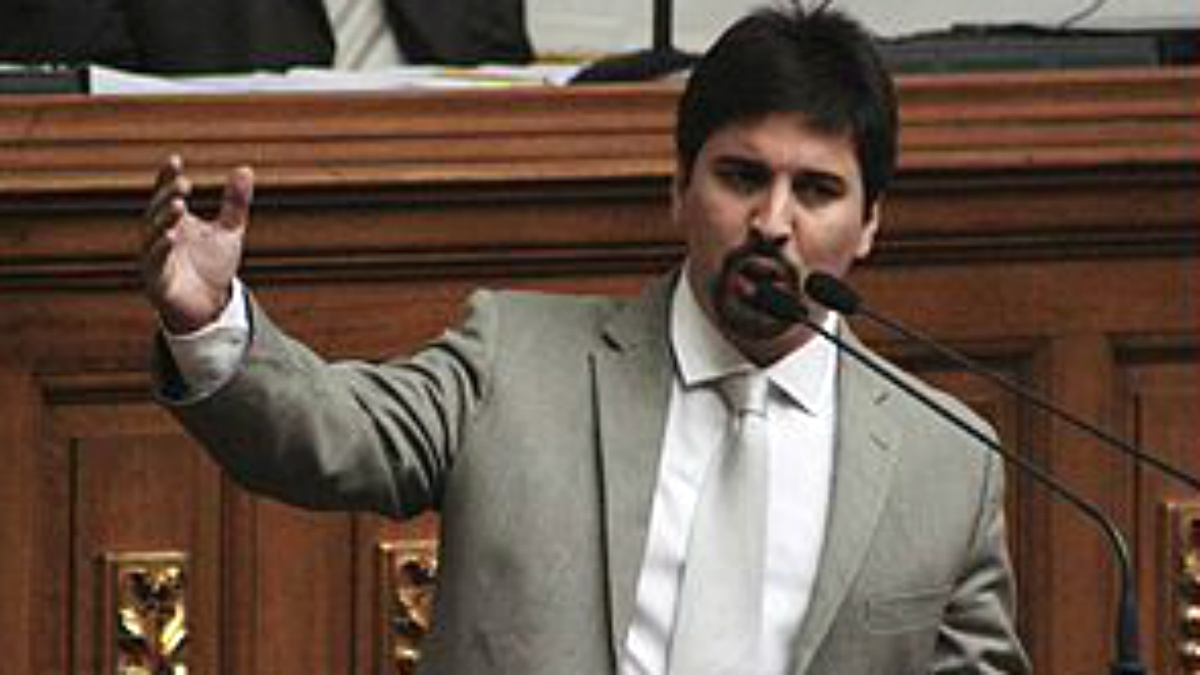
[(349, 435)]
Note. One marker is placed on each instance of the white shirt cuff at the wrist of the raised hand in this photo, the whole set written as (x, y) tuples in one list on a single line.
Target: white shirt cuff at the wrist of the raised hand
[(211, 356)]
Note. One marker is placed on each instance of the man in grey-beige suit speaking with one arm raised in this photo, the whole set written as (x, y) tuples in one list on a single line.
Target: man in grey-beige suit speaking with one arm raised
[(575, 447)]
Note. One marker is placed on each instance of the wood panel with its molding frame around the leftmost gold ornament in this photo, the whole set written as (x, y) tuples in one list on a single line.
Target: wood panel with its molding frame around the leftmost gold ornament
[(121, 480)]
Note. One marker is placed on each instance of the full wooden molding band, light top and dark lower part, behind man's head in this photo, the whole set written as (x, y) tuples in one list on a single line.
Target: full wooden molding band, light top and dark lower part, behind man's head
[(542, 182)]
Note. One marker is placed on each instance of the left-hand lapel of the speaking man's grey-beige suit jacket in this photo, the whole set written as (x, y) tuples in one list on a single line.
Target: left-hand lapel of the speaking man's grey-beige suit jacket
[(633, 379)]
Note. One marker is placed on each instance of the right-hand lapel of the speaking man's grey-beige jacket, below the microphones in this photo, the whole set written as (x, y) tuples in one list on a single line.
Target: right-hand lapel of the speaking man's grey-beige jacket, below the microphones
[(867, 447)]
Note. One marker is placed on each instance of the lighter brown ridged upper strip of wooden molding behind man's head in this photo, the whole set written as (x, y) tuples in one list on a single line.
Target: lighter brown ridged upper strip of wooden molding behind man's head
[(995, 122)]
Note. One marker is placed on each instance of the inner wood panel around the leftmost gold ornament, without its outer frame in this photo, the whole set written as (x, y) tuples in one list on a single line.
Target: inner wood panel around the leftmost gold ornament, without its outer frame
[(134, 495)]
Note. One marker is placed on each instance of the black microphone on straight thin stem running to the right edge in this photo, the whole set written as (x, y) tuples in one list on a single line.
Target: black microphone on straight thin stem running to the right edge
[(836, 295)]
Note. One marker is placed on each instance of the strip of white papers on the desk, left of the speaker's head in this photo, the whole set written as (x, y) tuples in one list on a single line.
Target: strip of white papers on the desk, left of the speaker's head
[(105, 81)]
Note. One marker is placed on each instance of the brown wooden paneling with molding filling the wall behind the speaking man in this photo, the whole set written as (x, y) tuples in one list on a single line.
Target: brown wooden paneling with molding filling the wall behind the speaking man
[(1048, 224)]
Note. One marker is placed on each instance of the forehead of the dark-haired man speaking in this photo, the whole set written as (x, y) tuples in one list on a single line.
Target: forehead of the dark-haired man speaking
[(785, 141)]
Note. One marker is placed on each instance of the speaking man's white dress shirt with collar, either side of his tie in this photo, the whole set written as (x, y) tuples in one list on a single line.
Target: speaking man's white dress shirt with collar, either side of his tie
[(802, 413)]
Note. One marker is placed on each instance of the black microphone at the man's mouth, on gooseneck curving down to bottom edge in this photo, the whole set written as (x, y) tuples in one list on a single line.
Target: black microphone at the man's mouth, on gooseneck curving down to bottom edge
[(1127, 662)]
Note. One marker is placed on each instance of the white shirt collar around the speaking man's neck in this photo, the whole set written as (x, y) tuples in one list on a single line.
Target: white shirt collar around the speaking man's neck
[(704, 355)]
